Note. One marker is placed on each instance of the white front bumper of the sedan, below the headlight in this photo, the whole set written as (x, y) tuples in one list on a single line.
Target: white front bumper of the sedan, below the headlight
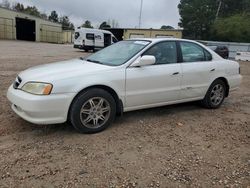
[(38, 109)]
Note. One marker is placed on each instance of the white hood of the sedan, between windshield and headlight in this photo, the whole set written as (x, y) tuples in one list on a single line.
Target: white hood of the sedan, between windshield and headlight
[(61, 70)]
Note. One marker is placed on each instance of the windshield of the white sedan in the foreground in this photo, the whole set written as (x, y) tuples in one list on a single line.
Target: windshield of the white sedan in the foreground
[(118, 53)]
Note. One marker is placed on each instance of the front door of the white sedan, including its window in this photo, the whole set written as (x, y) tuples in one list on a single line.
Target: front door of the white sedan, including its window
[(155, 84)]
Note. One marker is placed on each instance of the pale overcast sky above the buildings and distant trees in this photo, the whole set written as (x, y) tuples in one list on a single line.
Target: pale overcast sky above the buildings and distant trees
[(155, 13)]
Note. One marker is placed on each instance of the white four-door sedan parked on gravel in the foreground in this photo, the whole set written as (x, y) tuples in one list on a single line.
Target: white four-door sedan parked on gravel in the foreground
[(129, 75)]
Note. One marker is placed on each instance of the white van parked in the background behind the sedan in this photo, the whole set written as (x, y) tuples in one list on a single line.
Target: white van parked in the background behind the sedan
[(91, 39)]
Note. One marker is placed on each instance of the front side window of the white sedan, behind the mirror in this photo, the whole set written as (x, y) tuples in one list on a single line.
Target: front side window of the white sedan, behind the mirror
[(164, 52)]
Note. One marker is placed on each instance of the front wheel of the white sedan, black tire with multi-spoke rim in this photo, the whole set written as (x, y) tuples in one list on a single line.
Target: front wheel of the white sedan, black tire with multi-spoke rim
[(92, 111)]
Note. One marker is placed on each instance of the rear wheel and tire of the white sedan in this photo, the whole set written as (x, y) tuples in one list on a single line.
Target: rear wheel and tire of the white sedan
[(215, 95)]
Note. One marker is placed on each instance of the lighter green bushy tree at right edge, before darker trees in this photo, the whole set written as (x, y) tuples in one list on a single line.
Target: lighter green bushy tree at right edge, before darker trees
[(235, 28)]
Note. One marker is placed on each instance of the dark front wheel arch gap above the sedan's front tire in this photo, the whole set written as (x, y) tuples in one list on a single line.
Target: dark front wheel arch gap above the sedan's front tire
[(118, 101)]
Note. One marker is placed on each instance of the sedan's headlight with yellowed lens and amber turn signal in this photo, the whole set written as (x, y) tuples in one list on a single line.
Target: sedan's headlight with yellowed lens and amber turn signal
[(37, 88)]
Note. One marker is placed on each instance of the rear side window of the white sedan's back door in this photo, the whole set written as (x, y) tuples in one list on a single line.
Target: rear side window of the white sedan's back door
[(192, 52)]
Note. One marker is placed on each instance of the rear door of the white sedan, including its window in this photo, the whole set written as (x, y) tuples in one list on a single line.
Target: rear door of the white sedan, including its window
[(198, 70)]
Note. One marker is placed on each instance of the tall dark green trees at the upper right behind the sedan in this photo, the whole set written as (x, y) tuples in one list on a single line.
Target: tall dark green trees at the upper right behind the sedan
[(224, 20)]
